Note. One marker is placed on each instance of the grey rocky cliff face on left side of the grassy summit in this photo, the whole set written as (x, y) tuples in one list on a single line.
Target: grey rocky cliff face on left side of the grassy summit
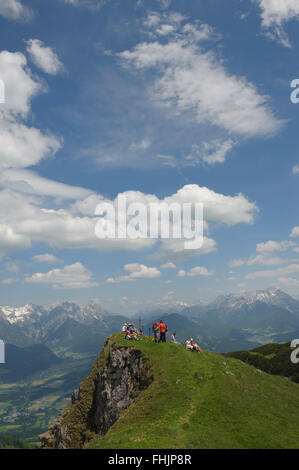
[(117, 377)]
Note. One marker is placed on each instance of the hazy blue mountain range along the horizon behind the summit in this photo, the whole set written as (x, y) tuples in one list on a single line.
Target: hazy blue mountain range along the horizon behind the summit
[(230, 322)]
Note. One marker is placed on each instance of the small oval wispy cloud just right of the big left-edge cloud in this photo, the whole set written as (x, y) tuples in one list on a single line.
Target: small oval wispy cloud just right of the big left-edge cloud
[(44, 57)]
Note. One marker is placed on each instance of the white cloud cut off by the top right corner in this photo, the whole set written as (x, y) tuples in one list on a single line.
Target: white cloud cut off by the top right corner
[(275, 13)]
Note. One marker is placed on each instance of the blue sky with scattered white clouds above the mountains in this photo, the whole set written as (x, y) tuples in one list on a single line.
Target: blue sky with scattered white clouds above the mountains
[(164, 101)]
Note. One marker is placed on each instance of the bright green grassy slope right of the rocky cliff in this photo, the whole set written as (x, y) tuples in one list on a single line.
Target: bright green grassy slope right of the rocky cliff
[(205, 401)]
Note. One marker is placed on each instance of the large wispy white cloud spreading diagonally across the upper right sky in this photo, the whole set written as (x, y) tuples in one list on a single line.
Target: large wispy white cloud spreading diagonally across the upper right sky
[(195, 81)]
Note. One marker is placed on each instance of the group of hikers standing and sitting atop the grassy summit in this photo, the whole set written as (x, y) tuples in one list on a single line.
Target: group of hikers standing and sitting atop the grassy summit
[(159, 331)]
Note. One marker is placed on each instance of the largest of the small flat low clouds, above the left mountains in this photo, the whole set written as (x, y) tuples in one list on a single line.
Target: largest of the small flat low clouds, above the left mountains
[(74, 276)]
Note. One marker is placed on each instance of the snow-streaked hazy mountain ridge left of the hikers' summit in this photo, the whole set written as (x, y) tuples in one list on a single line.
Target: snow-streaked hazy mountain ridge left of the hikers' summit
[(63, 325)]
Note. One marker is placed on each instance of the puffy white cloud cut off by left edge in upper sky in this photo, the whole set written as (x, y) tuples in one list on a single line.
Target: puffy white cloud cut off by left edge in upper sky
[(21, 146)]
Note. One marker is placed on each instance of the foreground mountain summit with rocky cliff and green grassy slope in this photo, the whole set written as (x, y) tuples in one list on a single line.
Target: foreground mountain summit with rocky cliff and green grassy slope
[(154, 396)]
